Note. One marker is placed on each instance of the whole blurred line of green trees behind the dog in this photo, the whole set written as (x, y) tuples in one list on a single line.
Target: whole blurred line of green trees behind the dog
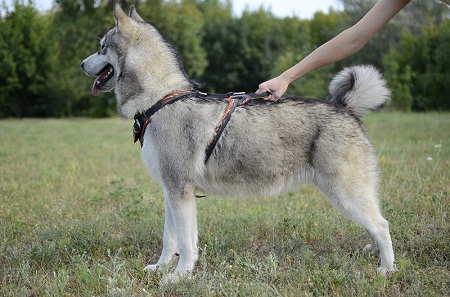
[(40, 52)]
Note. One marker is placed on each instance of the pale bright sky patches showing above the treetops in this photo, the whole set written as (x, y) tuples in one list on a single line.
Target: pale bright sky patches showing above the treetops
[(281, 8)]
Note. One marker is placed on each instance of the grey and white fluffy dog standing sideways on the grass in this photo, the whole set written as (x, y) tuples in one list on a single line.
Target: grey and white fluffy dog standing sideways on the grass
[(266, 148)]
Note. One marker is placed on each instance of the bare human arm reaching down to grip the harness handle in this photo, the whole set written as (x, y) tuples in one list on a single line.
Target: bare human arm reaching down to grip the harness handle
[(343, 45)]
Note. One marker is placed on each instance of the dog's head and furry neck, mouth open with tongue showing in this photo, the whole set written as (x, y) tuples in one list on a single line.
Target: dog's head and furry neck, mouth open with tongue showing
[(138, 61)]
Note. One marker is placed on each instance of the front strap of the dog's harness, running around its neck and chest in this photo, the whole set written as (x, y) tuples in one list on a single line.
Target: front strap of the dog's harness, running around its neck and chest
[(141, 120)]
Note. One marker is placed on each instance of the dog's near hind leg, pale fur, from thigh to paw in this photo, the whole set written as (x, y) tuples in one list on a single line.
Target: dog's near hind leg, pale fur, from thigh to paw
[(357, 199)]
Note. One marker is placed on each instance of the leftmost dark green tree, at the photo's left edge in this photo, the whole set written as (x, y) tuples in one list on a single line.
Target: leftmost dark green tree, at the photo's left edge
[(27, 63)]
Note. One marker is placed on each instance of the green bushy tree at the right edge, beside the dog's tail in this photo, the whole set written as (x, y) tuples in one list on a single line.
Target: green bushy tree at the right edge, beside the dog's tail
[(417, 70)]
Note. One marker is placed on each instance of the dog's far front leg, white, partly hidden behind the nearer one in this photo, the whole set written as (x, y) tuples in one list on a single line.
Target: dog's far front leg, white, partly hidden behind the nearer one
[(170, 246)]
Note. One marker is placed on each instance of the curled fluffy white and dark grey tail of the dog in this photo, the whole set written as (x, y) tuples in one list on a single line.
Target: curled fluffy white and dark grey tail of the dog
[(359, 89)]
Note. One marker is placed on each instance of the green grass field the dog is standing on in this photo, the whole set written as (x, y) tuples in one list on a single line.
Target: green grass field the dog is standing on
[(80, 216)]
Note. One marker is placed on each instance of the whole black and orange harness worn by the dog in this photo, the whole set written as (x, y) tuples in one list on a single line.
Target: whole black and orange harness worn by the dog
[(232, 99)]
